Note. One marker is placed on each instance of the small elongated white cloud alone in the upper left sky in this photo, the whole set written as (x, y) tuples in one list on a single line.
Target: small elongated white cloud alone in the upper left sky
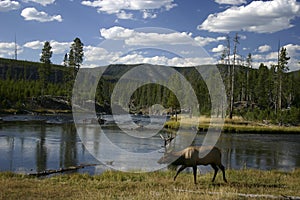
[(33, 14)]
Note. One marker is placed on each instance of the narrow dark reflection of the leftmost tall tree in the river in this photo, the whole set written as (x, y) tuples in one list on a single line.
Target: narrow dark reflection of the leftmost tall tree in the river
[(41, 150)]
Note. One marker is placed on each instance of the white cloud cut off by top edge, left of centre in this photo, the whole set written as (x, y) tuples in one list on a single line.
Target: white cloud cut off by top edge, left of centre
[(117, 6)]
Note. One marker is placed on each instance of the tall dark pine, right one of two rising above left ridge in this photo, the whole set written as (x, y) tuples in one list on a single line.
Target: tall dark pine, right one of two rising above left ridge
[(76, 55)]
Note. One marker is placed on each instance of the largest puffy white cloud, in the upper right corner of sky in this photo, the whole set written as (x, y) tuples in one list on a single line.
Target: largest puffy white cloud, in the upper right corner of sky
[(258, 16)]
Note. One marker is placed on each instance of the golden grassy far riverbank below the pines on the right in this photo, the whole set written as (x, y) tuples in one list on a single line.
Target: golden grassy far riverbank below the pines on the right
[(235, 125)]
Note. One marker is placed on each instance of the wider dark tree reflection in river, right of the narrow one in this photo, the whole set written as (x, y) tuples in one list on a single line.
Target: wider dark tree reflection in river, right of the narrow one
[(68, 147)]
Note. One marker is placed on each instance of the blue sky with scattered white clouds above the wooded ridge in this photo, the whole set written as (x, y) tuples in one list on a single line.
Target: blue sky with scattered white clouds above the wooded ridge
[(165, 32)]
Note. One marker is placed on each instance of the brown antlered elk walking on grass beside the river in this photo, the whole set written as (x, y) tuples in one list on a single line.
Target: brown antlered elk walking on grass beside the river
[(189, 157)]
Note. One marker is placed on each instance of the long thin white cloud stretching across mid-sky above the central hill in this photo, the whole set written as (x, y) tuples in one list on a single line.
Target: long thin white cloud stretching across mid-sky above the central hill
[(135, 38)]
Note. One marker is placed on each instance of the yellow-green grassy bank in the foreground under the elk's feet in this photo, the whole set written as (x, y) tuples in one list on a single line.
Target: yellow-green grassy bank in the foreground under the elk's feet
[(155, 185)]
